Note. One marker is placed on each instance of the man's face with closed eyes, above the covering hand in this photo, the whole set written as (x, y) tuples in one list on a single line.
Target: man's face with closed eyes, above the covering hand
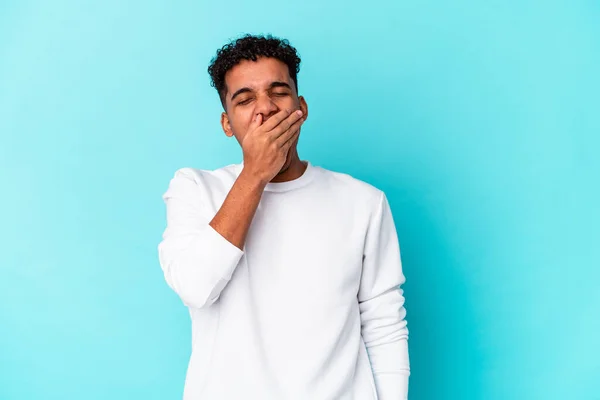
[(256, 87)]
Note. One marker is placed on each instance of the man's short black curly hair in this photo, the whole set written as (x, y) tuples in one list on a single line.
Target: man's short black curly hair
[(250, 47)]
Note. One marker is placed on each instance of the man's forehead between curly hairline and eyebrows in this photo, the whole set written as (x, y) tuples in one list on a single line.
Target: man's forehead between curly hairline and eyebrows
[(256, 74)]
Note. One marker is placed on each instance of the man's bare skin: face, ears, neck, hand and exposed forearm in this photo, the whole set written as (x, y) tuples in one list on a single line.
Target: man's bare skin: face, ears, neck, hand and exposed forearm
[(261, 112)]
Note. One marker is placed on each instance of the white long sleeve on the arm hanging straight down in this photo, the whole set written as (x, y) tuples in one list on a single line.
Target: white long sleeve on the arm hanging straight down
[(381, 303)]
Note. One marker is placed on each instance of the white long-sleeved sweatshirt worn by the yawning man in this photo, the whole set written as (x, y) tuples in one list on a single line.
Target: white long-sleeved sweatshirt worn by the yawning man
[(311, 309)]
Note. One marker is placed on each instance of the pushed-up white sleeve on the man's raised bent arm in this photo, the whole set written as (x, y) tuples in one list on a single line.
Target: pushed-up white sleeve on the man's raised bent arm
[(196, 260)]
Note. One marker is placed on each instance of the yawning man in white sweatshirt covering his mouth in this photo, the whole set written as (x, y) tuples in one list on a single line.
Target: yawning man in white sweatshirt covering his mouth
[(291, 272)]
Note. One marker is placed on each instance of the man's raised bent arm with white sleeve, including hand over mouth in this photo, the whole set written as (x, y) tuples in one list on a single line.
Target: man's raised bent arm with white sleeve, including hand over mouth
[(198, 255)]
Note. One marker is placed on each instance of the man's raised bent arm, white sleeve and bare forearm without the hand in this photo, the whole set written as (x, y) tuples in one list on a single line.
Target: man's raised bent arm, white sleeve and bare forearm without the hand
[(199, 257)]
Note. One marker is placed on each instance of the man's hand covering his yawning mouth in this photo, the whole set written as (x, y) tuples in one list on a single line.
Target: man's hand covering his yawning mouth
[(266, 146)]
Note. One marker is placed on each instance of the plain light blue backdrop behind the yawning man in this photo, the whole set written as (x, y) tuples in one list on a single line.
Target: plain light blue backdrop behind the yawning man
[(480, 121)]
